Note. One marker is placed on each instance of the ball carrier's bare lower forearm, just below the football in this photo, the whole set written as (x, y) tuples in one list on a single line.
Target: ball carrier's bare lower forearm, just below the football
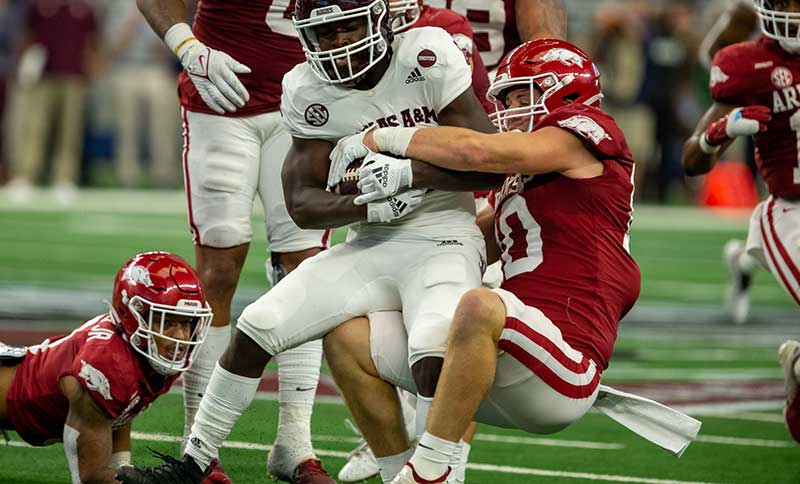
[(315, 208)]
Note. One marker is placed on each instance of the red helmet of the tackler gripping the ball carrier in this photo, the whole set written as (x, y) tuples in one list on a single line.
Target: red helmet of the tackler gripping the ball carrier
[(556, 73)]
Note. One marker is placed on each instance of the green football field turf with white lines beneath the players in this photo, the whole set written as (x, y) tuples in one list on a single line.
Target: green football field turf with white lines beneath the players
[(678, 347)]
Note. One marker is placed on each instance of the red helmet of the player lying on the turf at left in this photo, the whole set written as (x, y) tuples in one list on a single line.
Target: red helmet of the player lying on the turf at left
[(148, 288)]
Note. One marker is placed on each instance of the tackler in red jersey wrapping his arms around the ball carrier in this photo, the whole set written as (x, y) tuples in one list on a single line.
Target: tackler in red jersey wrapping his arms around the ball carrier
[(528, 355)]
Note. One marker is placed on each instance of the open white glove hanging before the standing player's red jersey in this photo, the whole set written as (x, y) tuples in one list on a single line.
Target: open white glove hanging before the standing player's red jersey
[(213, 72)]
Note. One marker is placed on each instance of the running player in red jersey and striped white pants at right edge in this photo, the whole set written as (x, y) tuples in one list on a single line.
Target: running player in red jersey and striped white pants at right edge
[(755, 94)]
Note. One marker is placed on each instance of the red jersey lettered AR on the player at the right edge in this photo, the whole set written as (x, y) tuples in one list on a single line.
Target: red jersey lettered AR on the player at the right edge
[(760, 72)]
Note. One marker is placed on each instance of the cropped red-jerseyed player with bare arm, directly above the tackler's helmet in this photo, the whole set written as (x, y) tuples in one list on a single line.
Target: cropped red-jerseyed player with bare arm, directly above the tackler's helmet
[(501, 25)]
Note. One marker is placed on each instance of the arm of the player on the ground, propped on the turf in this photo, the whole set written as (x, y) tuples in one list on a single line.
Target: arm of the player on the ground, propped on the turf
[(87, 436)]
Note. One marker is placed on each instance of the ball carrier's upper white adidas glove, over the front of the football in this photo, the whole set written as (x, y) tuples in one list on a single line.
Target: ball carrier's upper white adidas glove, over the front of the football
[(382, 176)]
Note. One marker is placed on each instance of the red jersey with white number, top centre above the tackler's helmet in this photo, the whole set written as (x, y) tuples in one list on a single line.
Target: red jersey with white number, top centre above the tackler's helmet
[(494, 23)]
